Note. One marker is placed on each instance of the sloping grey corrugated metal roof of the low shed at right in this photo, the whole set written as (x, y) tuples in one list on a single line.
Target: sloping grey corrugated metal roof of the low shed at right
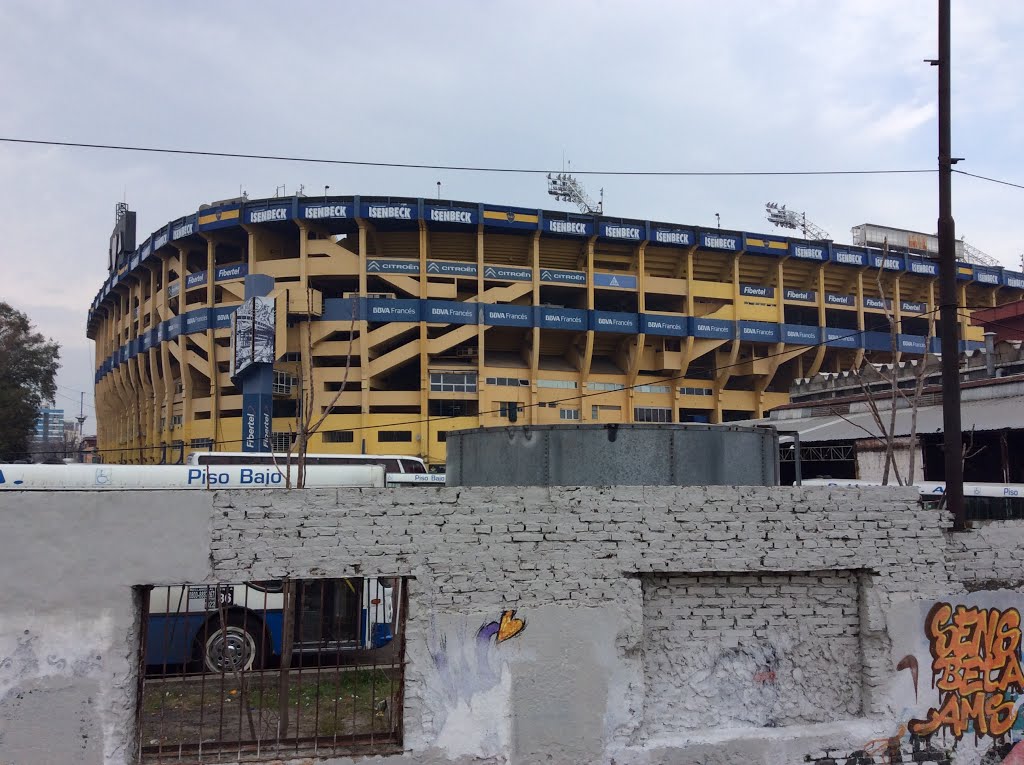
[(990, 414)]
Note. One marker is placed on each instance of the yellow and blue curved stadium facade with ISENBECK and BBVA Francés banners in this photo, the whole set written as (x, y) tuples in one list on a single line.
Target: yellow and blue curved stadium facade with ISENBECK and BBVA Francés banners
[(405, 319)]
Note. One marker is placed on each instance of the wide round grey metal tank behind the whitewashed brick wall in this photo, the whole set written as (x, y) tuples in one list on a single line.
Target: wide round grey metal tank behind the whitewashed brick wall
[(680, 455)]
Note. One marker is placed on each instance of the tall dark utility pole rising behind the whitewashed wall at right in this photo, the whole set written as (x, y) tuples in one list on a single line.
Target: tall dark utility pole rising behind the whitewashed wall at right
[(953, 440)]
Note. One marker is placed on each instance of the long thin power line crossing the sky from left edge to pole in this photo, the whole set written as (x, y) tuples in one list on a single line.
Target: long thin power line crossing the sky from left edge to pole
[(462, 168)]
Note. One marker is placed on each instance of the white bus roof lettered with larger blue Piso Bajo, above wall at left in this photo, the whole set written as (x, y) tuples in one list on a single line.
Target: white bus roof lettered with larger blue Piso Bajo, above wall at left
[(81, 478)]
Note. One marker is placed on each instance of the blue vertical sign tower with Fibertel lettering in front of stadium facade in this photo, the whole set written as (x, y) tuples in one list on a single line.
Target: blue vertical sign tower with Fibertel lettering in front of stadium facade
[(252, 362)]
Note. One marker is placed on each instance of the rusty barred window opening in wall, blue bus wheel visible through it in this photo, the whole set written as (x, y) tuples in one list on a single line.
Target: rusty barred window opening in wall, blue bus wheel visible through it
[(272, 670)]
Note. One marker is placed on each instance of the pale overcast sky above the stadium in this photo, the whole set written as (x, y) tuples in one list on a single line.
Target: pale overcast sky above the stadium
[(714, 87)]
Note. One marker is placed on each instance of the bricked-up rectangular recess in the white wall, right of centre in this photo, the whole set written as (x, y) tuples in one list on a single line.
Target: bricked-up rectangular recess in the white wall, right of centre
[(736, 651)]
